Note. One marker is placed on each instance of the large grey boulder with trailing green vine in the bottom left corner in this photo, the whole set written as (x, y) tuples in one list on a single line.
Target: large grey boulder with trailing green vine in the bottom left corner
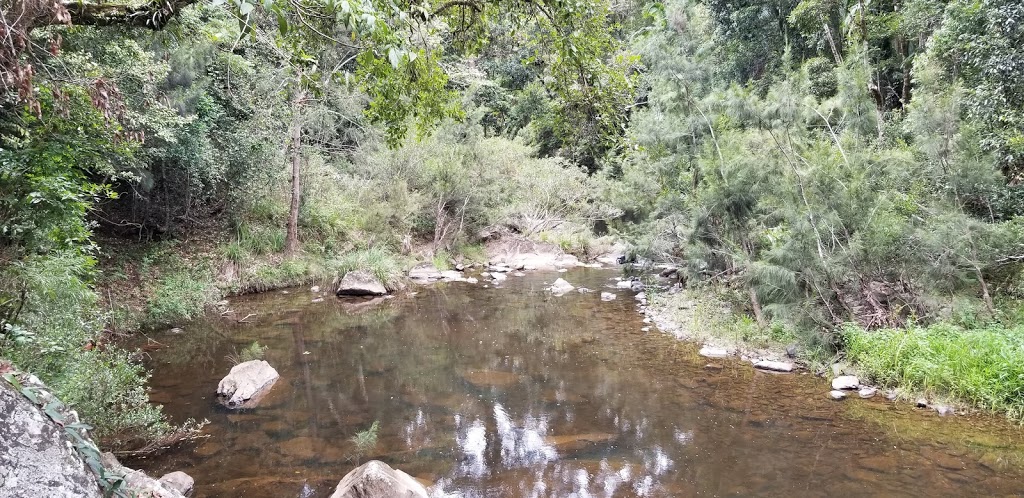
[(36, 456)]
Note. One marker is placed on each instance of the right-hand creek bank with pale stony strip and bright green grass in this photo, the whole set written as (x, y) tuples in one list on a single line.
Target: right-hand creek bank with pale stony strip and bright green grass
[(948, 367)]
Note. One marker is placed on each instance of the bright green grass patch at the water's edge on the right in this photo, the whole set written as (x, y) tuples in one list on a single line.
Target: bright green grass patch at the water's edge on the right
[(982, 366)]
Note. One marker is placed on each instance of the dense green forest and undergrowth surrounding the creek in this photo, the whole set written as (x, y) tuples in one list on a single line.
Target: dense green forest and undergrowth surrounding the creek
[(846, 174)]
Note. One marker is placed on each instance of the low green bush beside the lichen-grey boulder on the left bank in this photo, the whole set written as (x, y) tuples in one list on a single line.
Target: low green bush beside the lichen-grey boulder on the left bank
[(57, 339)]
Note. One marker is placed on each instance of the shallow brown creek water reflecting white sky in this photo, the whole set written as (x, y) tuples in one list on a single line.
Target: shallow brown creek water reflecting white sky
[(513, 392)]
